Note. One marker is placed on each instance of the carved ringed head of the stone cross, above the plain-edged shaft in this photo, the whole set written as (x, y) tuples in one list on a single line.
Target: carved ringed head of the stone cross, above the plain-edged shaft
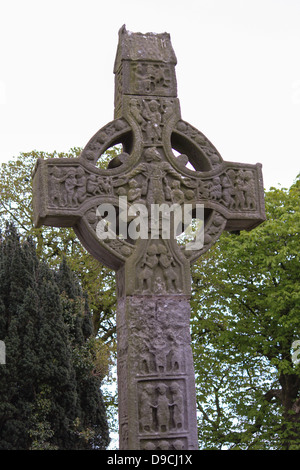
[(164, 161)]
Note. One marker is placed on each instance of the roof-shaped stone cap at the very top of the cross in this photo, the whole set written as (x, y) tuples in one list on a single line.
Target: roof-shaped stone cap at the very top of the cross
[(144, 47)]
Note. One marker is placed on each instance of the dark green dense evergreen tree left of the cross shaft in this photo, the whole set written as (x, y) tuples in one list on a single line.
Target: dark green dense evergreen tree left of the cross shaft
[(50, 397)]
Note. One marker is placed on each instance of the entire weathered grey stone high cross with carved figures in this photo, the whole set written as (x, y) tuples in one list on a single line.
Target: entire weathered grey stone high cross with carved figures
[(163, 160)]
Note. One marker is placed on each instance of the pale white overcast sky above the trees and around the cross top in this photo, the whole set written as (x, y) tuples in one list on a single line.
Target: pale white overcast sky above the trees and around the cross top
[(238, 73)]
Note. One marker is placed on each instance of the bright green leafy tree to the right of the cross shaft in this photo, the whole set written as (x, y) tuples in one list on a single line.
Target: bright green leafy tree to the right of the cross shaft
[(246, 298)]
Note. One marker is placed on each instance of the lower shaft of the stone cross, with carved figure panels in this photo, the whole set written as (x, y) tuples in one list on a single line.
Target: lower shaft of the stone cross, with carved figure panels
[(156, 385)]
